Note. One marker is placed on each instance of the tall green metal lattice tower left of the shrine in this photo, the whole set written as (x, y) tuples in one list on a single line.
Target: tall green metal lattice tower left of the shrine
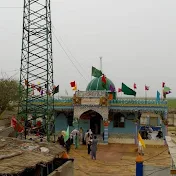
[(37, 64)]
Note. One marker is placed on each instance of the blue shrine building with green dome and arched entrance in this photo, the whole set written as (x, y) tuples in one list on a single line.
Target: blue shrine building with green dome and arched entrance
[(98, 108)]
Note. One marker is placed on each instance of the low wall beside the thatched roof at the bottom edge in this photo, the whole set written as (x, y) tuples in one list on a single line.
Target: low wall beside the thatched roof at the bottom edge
[(67, 169)]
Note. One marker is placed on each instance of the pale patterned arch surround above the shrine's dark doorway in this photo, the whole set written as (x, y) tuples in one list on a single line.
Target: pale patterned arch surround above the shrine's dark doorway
[(79, 110)]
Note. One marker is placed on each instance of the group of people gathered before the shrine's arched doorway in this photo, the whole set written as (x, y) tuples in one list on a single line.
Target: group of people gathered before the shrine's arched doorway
[(79, 137)]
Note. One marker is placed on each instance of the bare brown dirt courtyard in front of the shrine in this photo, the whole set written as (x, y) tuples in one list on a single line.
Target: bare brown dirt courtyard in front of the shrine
[(116, 159)]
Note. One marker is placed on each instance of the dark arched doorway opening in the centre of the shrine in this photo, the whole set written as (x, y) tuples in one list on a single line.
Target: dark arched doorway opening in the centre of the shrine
[(95, 121)]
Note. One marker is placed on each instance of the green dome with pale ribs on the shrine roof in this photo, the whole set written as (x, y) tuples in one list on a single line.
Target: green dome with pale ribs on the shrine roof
[(97, 84)]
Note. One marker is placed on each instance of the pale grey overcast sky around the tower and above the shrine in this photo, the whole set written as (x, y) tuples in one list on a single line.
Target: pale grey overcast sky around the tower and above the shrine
[(135, 38)]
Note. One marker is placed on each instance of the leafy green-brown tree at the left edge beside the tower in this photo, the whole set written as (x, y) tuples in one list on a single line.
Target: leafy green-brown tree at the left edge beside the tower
[(8, 92)]
